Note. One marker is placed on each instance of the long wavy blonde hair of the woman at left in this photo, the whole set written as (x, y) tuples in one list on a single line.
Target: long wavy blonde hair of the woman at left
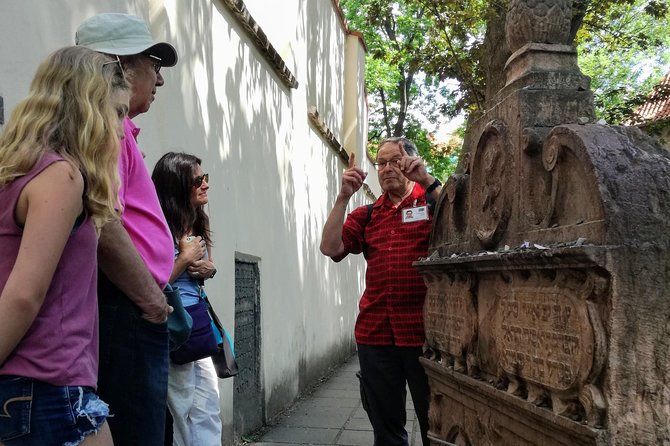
[(69, 111)]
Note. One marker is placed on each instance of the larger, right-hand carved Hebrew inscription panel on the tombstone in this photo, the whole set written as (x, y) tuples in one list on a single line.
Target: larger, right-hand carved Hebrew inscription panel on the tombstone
[(552, 339)]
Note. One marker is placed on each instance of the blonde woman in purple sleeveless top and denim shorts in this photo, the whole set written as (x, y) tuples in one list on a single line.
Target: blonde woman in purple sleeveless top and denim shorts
[(58, 187)]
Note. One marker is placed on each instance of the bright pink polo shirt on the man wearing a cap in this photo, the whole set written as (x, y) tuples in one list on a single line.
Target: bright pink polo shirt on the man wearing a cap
[(142, 215)]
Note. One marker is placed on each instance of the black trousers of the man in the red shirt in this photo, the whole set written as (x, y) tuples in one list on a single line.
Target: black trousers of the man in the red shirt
[(386, 371)]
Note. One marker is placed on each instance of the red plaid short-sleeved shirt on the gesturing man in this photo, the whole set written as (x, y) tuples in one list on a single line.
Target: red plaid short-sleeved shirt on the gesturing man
[(391, 308)]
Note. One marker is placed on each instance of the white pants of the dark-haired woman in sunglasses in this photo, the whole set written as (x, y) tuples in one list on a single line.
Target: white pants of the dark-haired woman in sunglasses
[(193, 400)]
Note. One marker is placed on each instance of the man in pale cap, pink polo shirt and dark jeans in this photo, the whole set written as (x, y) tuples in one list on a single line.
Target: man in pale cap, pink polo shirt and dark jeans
[(135, 256)]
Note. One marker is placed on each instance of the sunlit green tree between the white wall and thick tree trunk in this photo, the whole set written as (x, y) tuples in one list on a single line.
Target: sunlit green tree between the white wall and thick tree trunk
[(399, 39)]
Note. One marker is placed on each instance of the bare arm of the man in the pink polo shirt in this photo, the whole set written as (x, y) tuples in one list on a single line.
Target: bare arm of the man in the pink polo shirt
[(122, 264)]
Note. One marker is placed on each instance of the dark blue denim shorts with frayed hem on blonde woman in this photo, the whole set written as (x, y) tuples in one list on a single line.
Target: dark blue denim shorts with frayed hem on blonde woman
[(34, 413)]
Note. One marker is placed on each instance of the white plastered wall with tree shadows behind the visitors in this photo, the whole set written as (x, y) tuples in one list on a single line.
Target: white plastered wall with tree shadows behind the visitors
[(273, 177)]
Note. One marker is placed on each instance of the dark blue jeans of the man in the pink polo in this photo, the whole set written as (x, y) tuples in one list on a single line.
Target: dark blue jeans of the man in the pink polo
[(133, 370)]
